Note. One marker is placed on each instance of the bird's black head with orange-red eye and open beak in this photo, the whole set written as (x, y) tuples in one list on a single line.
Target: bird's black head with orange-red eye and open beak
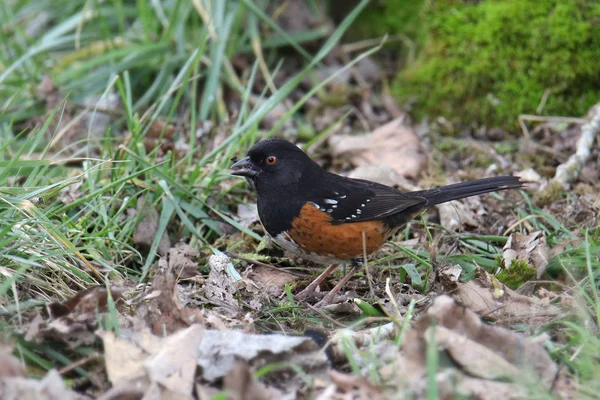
[(275, 163)]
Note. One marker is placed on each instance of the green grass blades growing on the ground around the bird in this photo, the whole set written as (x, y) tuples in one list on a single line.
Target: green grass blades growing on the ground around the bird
[(170, 64)]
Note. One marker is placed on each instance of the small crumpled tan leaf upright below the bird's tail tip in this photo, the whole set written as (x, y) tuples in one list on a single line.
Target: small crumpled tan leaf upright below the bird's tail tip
[(530, 248)]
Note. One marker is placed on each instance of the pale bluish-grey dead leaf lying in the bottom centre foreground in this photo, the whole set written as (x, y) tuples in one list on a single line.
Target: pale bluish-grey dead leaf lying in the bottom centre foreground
[(220, 350)]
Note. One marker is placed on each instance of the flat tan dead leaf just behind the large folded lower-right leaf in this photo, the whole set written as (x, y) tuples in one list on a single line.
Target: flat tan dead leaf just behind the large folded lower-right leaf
[(493, 300)]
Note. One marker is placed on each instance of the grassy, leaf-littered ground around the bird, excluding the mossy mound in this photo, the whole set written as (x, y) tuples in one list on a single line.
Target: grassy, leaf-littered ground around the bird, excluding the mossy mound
[(133, 263)]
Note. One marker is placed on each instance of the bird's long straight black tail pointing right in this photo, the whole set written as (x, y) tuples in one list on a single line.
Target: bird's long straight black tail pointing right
[(469, 188)]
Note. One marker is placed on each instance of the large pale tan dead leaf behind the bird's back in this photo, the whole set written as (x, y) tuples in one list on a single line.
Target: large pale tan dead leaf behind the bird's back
[(394, 145)]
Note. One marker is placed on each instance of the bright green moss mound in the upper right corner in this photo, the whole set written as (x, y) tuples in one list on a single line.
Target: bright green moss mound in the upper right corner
[(489, 61)]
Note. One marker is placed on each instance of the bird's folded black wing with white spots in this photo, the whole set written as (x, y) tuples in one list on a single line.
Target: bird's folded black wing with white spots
[(354, 200)]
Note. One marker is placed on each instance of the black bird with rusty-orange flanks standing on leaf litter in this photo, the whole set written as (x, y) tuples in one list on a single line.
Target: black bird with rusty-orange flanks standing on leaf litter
[(332, 219)]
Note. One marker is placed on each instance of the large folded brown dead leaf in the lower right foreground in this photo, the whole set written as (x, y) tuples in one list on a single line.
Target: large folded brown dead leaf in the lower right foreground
[(487, 362)]
